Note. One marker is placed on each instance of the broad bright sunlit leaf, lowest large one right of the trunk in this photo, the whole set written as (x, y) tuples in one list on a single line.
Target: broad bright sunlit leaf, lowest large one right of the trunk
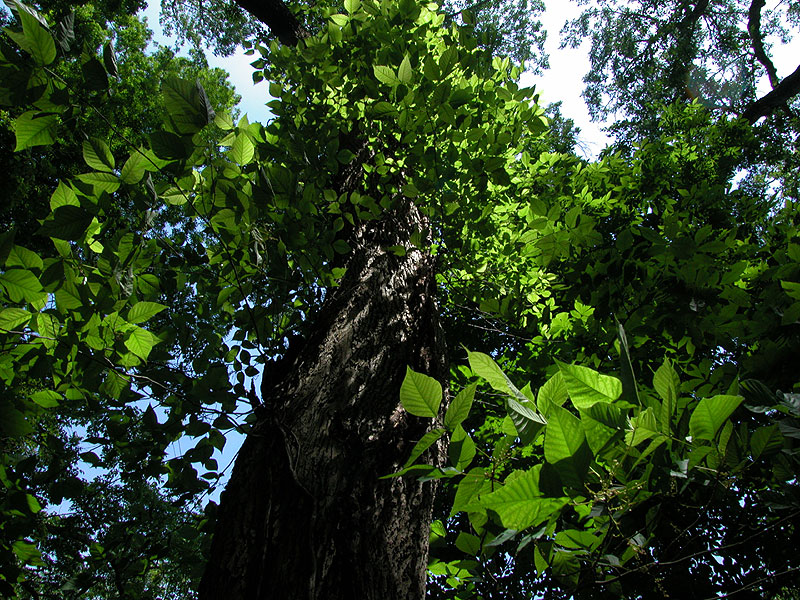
[(520, 504)]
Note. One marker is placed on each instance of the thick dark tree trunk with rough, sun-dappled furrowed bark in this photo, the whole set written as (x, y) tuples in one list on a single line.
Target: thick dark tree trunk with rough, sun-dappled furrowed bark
[(305, 514)]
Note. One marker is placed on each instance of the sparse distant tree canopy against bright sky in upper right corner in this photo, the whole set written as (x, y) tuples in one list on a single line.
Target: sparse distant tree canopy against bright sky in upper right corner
[(646, 55)]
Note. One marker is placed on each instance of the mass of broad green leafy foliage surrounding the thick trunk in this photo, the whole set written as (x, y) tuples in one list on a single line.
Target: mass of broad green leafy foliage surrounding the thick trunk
[(145, 333)]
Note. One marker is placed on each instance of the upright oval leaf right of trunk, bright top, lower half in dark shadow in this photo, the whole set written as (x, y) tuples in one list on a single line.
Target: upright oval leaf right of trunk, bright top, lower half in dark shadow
[(565, 447)]
